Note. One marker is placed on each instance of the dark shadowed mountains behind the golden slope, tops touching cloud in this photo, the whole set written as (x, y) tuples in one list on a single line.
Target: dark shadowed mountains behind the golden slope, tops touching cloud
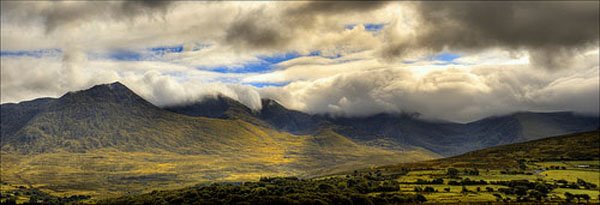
[(397, 131)]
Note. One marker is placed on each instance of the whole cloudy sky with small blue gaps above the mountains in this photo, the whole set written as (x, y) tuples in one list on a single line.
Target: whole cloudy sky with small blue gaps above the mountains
[(456, 61)]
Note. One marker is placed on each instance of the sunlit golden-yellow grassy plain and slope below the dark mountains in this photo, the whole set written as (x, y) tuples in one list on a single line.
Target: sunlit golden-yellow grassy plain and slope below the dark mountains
[(111, 172)]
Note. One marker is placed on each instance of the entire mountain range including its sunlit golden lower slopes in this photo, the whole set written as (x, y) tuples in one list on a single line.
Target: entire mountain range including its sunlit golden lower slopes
[(107, 139)]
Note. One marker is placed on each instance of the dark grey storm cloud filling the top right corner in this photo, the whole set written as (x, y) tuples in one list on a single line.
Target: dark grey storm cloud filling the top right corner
[(551, 31)]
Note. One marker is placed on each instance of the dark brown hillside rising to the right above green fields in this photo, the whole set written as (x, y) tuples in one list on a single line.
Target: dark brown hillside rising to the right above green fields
[(584, 146)]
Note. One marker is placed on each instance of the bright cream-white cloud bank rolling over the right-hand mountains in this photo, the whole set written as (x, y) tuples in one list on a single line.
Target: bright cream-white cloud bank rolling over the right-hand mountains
[(451, 92)]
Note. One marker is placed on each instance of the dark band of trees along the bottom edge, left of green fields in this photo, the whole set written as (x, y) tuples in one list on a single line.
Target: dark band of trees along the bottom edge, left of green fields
[(368, 188)]
